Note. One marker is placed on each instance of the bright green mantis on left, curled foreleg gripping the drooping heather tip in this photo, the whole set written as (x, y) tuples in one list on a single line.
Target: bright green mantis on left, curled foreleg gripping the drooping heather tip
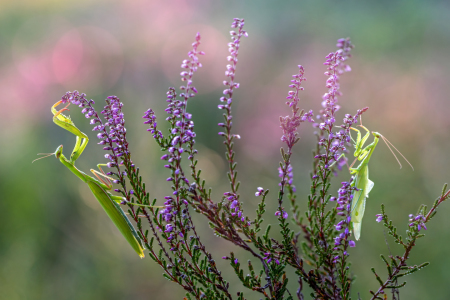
[(99, 186)]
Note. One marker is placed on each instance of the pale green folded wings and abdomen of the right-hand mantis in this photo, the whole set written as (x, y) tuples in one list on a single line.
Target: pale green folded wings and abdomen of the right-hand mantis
[(365, 185)]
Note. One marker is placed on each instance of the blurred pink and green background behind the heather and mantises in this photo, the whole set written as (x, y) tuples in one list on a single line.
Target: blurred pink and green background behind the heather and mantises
[(55, 240)]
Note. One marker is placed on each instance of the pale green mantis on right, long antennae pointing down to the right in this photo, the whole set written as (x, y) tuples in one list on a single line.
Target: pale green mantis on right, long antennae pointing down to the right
[(361, 175)]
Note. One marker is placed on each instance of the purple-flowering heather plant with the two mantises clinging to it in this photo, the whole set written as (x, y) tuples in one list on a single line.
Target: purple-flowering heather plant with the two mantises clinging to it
[(316, 230)]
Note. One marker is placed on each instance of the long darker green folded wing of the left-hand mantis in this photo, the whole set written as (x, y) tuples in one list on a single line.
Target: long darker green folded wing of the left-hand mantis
[(118, 217)]
